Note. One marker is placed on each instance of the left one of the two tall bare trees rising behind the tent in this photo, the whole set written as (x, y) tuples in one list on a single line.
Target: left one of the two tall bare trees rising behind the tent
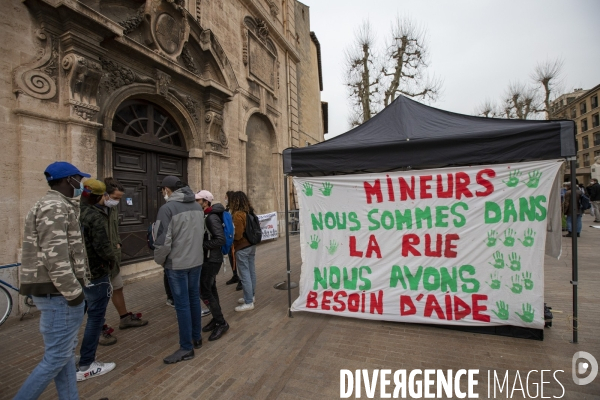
[(362, 77)]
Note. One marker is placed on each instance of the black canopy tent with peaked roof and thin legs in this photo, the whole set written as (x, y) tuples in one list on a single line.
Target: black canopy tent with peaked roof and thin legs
[(411, 135)]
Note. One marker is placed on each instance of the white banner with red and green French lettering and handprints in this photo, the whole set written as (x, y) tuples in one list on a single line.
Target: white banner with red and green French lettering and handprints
[(456, 246)]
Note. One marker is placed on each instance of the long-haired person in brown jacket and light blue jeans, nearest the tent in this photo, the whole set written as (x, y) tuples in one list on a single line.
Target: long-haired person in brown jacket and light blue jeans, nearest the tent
[(244, 246)]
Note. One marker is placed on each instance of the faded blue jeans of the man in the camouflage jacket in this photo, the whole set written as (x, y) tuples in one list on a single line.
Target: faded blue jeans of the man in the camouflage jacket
[(59, 325)]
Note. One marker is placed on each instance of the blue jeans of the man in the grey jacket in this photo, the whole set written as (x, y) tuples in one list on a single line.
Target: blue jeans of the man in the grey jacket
[(185, 286)]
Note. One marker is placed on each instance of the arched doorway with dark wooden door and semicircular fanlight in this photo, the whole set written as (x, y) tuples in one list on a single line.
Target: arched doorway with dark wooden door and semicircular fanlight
[(149, 146)]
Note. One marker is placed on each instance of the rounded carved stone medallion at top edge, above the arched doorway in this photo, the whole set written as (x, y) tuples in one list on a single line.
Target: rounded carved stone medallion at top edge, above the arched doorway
[(167, 27)]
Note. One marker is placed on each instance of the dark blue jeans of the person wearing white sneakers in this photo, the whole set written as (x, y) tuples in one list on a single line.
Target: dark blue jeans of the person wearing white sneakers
[(97, 295)]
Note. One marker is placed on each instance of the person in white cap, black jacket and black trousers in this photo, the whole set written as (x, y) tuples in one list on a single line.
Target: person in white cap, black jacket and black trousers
[(214, 238)]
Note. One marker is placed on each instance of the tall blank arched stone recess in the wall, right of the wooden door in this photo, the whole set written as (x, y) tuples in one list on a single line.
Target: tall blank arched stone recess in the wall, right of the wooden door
[(259, 171)]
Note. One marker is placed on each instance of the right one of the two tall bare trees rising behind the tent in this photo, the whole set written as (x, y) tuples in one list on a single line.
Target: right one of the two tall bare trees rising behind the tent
[(405, 64)]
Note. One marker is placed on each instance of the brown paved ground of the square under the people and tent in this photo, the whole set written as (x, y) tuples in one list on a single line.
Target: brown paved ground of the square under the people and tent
[(267, 355)]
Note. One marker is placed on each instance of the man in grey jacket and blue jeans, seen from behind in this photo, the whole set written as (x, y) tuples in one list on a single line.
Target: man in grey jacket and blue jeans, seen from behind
[(179, 231)]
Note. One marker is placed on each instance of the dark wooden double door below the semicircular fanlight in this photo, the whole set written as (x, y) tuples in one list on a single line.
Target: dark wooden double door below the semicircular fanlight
[(141, 172)]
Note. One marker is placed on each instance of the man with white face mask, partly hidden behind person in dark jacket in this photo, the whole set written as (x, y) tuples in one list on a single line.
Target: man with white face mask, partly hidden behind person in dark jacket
[(111, 199)]
